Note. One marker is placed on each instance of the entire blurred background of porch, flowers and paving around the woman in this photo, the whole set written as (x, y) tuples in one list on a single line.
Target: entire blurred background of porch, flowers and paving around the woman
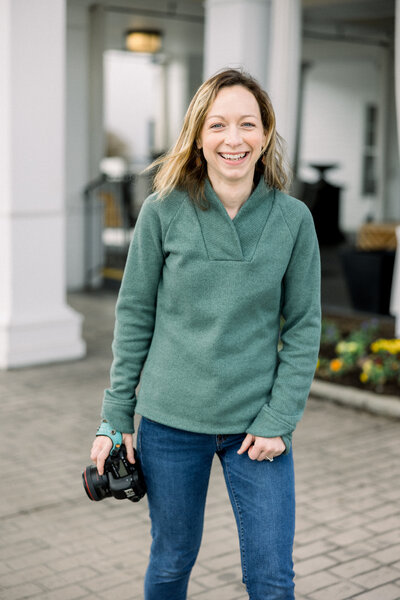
[(90, 94)]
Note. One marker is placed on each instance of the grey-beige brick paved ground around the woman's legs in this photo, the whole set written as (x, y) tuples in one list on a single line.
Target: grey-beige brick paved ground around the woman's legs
[(57, 545)]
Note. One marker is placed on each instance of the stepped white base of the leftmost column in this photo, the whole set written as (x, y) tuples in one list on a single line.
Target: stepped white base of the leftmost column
[(46, 339)]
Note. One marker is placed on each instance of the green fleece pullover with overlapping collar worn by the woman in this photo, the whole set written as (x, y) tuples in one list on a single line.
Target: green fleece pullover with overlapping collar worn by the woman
[(199, 312)]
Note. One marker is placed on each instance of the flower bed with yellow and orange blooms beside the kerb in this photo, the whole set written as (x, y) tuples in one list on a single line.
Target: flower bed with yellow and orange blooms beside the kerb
[(358, 353)]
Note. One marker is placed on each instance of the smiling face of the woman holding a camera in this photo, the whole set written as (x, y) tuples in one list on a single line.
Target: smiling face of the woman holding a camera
[(232, 136)]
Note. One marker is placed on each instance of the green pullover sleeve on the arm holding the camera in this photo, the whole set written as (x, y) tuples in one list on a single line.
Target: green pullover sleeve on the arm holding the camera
[(135, 317)]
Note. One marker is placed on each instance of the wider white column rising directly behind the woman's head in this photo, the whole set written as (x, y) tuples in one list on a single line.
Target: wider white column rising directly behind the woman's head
[(237, 34)]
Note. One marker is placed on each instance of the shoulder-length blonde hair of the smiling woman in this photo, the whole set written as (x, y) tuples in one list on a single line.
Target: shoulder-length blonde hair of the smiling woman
[(184, 166)]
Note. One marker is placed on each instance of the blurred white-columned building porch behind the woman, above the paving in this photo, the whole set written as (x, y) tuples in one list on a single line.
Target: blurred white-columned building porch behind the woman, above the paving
[(91, 93)]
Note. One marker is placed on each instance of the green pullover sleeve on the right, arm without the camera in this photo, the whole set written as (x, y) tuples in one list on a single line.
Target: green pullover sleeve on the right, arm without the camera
[(300, 337)]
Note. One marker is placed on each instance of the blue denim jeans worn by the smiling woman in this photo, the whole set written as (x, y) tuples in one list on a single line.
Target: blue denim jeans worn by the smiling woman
[(176, 465)]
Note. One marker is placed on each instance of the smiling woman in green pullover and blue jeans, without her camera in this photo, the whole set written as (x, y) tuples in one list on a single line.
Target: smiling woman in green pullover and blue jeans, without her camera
[(220, 253)]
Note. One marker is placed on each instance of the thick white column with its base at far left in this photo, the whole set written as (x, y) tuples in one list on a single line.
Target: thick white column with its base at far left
[(36, 325)]
